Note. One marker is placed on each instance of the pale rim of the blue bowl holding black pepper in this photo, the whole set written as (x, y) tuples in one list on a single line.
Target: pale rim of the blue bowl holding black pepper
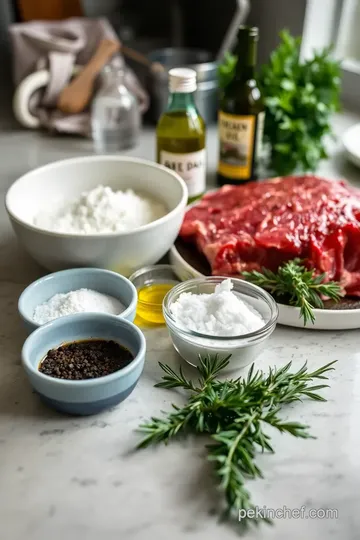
[(113, 319)]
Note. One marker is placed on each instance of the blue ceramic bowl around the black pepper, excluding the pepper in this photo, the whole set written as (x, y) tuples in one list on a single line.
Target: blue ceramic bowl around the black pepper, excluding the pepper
[(92, 395)]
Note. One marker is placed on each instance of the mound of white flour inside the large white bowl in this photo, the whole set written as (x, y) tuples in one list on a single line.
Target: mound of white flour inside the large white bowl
[(102, 210)]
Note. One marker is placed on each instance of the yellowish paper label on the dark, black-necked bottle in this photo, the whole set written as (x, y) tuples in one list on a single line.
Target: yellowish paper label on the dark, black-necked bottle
[(237, 144)]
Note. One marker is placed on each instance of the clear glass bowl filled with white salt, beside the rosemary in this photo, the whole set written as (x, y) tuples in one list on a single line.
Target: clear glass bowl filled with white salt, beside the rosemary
[(216, 323)]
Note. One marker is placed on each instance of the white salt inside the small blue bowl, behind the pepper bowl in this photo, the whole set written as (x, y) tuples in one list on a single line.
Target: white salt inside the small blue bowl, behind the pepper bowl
[(80, 301)]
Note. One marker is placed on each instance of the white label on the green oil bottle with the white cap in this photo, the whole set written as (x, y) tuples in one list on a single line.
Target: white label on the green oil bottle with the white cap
[(191, 167)]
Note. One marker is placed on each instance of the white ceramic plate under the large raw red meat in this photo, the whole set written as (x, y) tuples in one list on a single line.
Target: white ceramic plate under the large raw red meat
[(325, 319)]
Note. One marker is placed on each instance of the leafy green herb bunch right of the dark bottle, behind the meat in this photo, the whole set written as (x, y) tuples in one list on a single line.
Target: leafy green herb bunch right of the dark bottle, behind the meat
[(300, 98)]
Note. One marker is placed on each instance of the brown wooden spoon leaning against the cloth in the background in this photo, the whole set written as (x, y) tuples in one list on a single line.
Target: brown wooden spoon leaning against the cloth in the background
[(76, 96)]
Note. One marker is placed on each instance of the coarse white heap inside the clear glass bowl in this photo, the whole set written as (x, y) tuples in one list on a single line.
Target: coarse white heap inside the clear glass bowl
[(222, 313)]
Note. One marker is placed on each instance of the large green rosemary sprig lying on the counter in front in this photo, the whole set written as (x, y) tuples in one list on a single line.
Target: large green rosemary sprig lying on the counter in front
[(234, 413)]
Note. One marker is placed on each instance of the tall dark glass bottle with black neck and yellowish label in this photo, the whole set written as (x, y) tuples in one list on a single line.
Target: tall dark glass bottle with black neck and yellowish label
[(241, 116)]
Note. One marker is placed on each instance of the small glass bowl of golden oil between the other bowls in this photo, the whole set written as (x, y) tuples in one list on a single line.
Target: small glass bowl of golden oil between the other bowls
[(150, 297)]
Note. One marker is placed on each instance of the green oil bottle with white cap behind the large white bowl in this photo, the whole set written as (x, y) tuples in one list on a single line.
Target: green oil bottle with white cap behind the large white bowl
[(181, 133)]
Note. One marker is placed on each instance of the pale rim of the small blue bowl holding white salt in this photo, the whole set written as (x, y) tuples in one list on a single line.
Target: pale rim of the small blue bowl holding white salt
[(48, 277)]
